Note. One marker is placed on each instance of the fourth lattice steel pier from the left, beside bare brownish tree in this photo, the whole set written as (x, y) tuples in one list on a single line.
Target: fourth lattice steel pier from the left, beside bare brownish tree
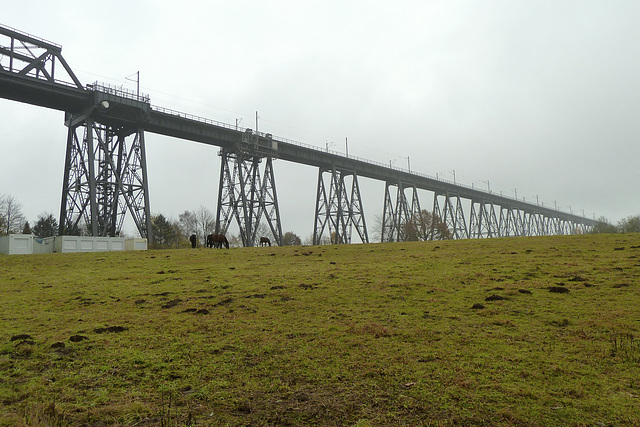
[(395, 218)]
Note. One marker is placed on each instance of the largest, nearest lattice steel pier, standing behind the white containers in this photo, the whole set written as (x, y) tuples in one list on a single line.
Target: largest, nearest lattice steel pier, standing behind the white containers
[(105, 176)]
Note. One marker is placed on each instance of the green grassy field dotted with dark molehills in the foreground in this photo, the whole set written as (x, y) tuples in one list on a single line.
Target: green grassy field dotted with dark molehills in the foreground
[(518, 331)]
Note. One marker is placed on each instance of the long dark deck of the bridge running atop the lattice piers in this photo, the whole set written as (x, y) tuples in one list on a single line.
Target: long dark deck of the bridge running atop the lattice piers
[(71, 99)]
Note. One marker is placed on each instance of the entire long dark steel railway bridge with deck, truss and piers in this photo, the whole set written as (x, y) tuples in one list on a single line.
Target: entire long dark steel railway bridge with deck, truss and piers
[(105, 173)]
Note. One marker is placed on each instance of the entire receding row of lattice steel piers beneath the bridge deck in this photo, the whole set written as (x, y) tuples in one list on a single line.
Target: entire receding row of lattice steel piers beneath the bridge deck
[(105, 178)]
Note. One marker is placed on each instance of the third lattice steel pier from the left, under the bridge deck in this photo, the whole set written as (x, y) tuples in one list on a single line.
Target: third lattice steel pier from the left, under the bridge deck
[(339, 211)]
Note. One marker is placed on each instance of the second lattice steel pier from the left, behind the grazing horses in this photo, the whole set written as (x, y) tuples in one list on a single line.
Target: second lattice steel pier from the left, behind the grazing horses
[(247, 195)]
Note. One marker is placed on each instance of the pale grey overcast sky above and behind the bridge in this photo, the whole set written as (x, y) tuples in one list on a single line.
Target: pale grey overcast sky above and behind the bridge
[(534, 97)]
